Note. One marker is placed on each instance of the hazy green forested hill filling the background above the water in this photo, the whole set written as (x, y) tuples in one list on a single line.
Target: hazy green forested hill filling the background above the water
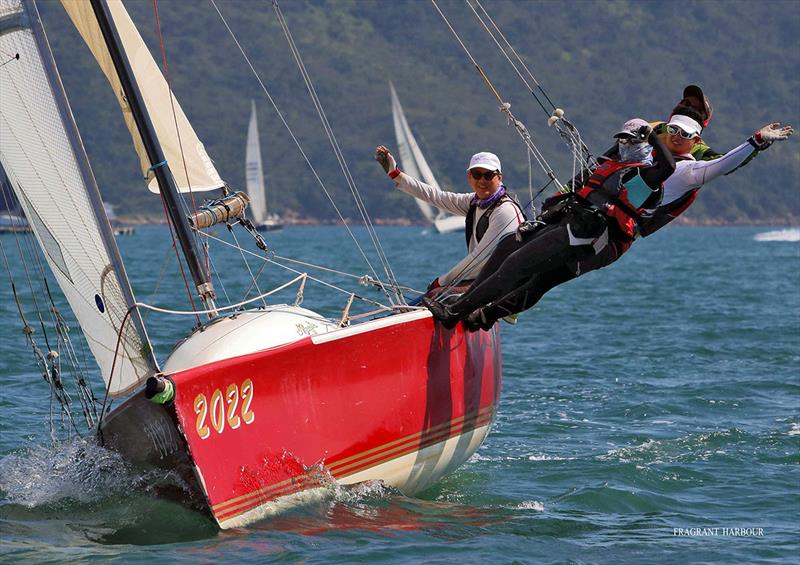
[(603, 62)]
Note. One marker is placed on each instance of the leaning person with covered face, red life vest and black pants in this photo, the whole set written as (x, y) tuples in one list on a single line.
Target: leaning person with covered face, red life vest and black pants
[(594, 224)]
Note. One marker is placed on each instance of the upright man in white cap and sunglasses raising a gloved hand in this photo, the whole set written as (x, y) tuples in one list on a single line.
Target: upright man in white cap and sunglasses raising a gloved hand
[(490, 213)]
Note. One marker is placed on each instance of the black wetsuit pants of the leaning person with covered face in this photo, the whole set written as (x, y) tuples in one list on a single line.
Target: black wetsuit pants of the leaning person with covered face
[(515, 264)]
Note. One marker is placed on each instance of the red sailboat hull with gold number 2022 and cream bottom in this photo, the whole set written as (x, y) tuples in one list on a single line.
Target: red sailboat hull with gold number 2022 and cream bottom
[(403, 401)]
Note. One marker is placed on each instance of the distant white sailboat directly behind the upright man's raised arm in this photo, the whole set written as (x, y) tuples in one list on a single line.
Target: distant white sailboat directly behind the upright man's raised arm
[(414, 163)]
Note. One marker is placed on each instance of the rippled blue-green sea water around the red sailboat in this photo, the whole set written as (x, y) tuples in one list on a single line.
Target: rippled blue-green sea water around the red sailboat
[(659, 394)]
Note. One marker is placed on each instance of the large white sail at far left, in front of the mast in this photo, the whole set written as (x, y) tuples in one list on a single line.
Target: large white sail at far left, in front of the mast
[(43, 156)]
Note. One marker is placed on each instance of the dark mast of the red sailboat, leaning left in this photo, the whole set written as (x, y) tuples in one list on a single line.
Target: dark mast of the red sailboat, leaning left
[(155, 154)]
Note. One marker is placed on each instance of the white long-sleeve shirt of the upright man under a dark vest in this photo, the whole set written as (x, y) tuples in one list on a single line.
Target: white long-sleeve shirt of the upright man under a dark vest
[(504, 220)]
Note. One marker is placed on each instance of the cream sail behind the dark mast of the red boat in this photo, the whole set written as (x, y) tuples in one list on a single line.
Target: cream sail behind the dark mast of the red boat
[(190, 164)]
